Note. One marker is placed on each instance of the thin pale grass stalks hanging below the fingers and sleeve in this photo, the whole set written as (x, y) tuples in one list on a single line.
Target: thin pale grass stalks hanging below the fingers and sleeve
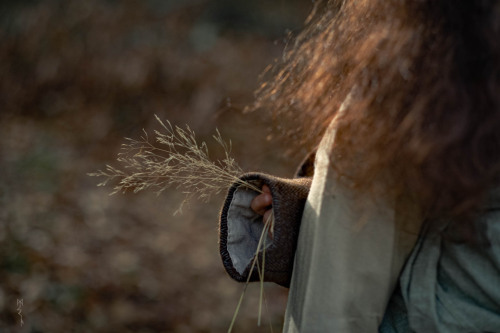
[(261, 246)]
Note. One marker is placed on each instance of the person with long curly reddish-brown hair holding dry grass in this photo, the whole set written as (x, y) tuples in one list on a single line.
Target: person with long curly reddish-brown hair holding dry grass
[(392, 224)]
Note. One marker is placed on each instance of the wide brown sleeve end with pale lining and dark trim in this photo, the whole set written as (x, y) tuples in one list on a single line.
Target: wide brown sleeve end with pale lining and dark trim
[(241, 228)]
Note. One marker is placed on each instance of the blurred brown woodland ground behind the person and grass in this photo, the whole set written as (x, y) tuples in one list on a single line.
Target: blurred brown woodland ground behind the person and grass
[(76, 77)]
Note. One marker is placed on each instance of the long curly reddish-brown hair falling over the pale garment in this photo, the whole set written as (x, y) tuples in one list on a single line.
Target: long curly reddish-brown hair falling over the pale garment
[(423, 78)]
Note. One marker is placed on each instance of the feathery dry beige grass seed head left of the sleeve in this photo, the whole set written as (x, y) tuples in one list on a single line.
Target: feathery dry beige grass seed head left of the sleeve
[(174, 159)]
